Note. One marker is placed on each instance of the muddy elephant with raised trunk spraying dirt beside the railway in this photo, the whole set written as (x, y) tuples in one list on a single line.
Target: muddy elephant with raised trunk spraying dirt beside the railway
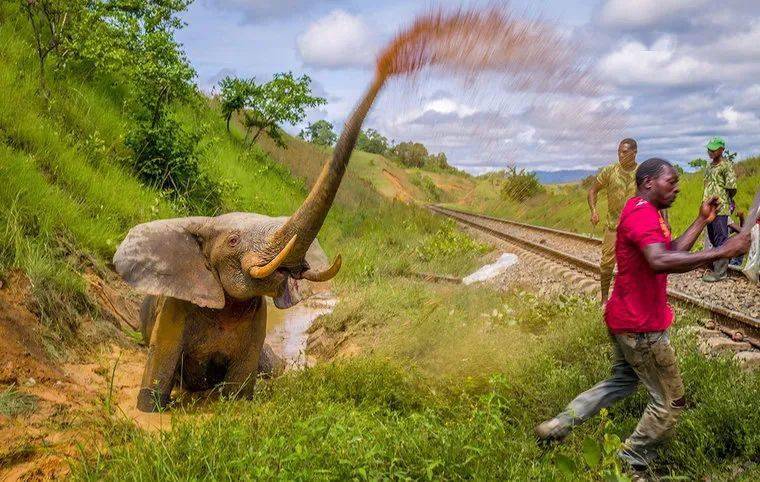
[(205, 319)]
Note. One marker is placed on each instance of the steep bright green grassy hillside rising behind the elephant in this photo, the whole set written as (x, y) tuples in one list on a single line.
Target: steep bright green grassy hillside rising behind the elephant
[(68, 197)]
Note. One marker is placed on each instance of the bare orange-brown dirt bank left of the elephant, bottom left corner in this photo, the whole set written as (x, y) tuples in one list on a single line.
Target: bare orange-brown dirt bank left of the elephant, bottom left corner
[(52, 404)]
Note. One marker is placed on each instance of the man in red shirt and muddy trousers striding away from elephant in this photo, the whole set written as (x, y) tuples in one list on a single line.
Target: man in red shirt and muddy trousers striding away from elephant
[(638, 315)]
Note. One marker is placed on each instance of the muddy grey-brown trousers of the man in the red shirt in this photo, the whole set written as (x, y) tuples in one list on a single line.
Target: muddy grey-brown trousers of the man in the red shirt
[(639, 357)]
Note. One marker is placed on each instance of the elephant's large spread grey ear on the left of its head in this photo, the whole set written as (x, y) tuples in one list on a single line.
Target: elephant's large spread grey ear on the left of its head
[(166, 258)]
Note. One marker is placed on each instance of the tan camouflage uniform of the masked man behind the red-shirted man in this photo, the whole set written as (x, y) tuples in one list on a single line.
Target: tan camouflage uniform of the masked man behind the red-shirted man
[(620, 185)]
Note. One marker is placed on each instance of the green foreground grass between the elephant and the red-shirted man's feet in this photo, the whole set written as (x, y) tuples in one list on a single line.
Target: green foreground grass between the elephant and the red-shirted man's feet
[(385, 416)]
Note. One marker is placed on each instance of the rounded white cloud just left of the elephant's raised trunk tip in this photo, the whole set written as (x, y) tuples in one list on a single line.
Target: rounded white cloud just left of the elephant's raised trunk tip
[(337, 40)]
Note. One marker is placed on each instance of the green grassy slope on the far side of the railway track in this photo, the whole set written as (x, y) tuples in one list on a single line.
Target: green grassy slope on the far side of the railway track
[(568, 208)]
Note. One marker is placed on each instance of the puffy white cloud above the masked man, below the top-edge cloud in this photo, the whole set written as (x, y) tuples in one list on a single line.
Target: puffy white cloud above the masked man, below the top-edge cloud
[(661, 64)]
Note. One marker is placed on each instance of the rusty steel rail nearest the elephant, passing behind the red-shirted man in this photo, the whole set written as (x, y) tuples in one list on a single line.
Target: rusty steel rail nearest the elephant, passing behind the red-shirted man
[(750, 322)]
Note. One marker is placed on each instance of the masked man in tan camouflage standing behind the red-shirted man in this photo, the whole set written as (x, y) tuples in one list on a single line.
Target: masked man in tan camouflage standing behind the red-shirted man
[(619, 180)]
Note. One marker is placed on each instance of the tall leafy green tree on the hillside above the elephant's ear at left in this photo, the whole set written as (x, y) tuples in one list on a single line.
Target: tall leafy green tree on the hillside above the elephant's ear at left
[(132, 44)]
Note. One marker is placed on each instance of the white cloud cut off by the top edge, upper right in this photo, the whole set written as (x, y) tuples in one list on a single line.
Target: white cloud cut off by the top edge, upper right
[(645, 13)]
